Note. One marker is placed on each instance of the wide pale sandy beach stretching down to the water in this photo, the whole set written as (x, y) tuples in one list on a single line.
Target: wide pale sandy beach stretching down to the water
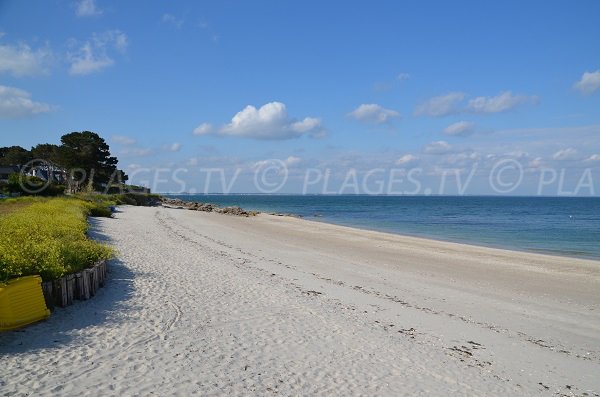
[(209, 304)]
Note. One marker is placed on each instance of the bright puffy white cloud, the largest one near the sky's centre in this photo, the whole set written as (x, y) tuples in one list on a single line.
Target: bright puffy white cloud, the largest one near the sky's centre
[(270, 121)]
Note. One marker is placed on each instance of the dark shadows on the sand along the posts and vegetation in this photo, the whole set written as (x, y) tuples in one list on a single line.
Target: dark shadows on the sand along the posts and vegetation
[(64, 325)]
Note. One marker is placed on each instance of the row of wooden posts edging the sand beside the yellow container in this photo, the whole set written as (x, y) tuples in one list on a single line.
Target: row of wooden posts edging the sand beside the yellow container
[(77, 286)]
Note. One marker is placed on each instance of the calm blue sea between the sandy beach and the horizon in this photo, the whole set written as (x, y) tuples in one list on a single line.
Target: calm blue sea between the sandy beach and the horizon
[(558, 225)]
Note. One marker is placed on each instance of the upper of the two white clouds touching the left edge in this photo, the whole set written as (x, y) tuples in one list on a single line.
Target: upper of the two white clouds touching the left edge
[(21, 60)]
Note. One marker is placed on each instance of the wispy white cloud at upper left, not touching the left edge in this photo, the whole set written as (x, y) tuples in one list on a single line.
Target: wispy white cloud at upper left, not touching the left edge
[(93, 55)]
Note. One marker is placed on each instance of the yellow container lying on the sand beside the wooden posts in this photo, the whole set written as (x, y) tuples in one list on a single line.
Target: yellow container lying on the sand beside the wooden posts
[(22, 302)]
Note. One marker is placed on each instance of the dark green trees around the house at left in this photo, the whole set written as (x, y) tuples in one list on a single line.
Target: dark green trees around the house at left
[(83, 160)]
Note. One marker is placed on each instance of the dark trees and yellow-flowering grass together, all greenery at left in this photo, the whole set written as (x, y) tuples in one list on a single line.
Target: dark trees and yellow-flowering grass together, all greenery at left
[(47, 236)]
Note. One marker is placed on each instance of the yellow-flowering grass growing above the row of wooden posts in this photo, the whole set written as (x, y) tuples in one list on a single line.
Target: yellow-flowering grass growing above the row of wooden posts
[(47, 237)]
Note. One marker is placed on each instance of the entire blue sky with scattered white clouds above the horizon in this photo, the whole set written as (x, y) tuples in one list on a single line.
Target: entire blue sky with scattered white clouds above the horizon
[(449, 88)]
